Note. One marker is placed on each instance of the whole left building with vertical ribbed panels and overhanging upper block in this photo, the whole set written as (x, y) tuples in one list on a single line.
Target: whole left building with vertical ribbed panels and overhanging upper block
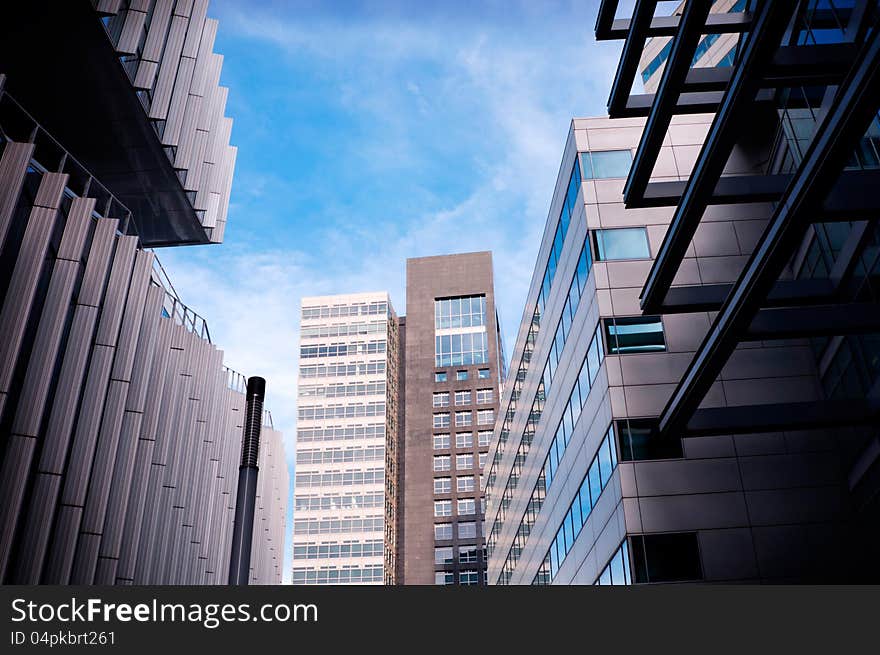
[(120, 428)]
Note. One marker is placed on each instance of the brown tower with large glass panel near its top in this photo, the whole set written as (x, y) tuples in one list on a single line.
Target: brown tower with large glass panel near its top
[(453, 375)]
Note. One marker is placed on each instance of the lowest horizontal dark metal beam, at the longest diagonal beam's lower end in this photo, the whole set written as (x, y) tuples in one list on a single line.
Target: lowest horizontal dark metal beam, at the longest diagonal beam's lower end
[(752, 419)]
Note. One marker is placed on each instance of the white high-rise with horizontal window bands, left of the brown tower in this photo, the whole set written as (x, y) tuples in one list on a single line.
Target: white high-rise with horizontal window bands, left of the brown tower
[(346, 432)]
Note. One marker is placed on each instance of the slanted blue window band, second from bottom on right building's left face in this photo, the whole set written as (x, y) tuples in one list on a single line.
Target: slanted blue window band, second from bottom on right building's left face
[(596, 479)]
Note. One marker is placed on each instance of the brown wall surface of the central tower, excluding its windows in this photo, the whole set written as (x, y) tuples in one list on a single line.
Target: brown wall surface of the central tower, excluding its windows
[(427, 279)]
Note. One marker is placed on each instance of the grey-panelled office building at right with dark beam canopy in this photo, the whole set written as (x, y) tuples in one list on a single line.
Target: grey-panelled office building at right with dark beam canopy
[(698, 351)]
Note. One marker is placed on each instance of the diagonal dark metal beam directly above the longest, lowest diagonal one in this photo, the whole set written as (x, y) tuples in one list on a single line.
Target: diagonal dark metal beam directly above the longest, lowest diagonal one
[(770, 24)]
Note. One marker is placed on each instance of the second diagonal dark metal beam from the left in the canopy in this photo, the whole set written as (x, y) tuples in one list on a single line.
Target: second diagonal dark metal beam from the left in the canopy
[(684, 45)]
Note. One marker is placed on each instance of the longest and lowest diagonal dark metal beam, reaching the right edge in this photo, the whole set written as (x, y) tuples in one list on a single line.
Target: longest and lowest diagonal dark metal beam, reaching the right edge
[(849, 115)]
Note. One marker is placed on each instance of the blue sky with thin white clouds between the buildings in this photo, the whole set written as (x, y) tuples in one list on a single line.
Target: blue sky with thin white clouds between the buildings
[(372, 132)]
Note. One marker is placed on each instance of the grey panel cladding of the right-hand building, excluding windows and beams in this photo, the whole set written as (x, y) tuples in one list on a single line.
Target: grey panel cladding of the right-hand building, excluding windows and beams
[(765, 507)]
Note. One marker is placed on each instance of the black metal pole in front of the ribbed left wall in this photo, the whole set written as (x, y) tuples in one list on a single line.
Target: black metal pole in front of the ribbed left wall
[(245, 500)]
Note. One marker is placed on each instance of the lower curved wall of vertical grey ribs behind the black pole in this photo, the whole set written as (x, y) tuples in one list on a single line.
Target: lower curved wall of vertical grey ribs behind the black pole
[(119, 431)]
